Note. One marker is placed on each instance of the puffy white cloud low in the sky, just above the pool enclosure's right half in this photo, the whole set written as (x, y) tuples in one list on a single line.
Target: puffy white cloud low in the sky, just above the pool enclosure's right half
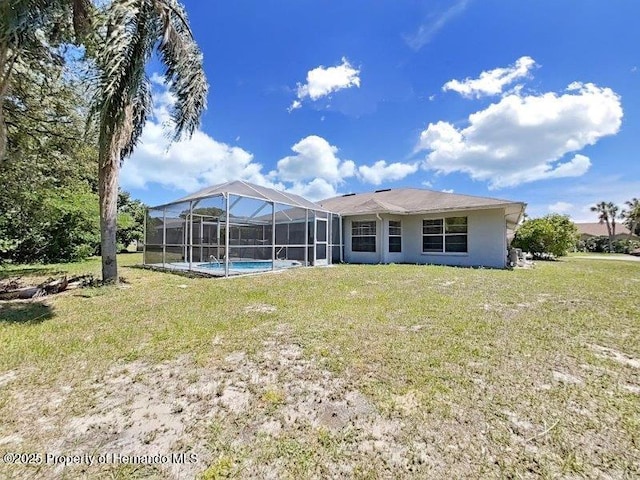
[(314, 158)]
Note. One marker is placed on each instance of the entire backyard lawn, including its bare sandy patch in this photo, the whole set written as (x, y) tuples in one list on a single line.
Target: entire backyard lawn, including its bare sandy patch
[(392, 371)]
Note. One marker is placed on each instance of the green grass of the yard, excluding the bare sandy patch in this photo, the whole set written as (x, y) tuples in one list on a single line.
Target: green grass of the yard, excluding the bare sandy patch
[(475, 349)]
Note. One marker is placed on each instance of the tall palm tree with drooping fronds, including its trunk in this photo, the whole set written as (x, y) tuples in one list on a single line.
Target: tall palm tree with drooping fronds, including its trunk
[(134, 29)]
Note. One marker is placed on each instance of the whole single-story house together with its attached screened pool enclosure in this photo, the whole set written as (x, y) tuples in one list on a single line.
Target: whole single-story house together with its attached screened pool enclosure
[(238, 227)]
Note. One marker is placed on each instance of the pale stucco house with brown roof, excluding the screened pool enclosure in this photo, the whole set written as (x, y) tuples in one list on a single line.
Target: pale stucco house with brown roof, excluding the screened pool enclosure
[(410, 225)]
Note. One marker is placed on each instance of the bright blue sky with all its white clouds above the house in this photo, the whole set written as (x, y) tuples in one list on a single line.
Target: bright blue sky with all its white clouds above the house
[(535, 101)]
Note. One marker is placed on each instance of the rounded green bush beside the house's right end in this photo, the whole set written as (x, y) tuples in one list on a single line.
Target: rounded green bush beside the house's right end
[(553, 234)]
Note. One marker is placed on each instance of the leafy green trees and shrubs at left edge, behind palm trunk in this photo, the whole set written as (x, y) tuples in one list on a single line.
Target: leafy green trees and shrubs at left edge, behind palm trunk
[(49, 202)]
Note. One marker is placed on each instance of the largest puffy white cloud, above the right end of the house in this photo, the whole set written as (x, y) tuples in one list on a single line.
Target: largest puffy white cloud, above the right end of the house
[(522, 138)]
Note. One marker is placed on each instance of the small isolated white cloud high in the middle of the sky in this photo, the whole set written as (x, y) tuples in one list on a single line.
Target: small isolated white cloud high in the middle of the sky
[(322, 81)]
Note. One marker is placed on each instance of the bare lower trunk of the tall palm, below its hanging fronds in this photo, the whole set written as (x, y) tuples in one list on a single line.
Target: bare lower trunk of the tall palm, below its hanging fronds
[(108, 191)]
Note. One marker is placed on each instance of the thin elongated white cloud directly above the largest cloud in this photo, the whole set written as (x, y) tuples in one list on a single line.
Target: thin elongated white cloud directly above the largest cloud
[(491, 82)]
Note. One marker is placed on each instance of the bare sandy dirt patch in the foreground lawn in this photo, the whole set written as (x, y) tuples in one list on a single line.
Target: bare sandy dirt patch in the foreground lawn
[(260, 415)]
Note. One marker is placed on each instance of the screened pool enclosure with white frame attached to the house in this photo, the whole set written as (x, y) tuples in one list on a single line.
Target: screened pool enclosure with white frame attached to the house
[(238, 227)]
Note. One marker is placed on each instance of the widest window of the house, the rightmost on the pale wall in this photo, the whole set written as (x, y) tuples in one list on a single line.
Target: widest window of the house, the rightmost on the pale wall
[(445, 235)]
